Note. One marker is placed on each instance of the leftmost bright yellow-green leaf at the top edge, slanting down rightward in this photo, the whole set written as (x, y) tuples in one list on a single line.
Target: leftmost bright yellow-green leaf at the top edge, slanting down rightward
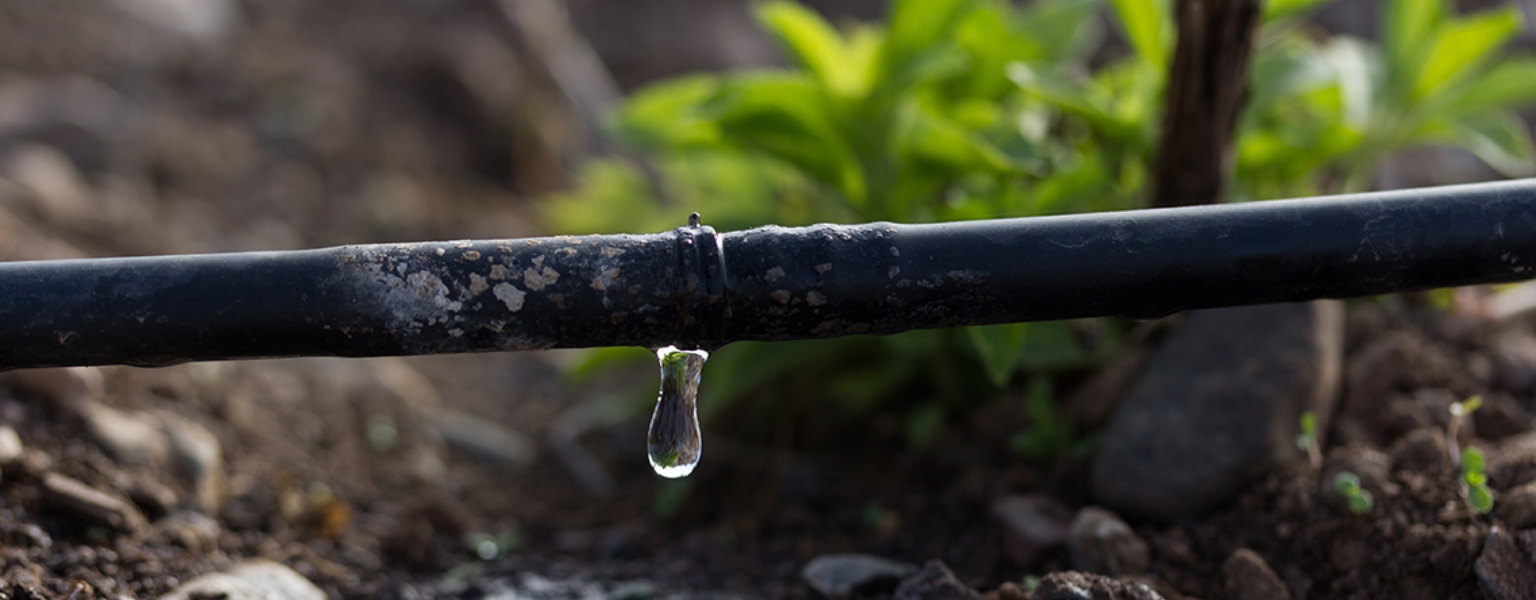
[(813, 44)]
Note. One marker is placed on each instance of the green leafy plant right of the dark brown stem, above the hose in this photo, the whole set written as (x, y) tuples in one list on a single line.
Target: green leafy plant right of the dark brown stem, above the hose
[(1326, 113)]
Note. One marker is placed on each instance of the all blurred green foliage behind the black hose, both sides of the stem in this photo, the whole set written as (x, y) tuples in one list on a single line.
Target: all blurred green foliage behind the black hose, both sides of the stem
[(965, 110)]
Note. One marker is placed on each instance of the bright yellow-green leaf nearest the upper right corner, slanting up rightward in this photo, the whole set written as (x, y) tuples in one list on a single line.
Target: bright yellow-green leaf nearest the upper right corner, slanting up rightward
[(1465, 44)]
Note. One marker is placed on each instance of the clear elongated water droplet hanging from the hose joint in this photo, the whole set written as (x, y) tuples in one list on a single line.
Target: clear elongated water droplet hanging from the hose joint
[(674, 443)]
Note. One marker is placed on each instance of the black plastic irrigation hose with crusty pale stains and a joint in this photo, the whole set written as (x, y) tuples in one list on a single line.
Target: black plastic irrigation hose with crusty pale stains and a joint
[(695, 288)]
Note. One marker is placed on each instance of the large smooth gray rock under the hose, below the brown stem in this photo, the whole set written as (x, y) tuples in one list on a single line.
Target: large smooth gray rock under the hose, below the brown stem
[(1220, 406)]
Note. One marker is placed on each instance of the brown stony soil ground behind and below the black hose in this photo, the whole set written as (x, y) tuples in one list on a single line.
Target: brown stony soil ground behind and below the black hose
[(282, 125)]
